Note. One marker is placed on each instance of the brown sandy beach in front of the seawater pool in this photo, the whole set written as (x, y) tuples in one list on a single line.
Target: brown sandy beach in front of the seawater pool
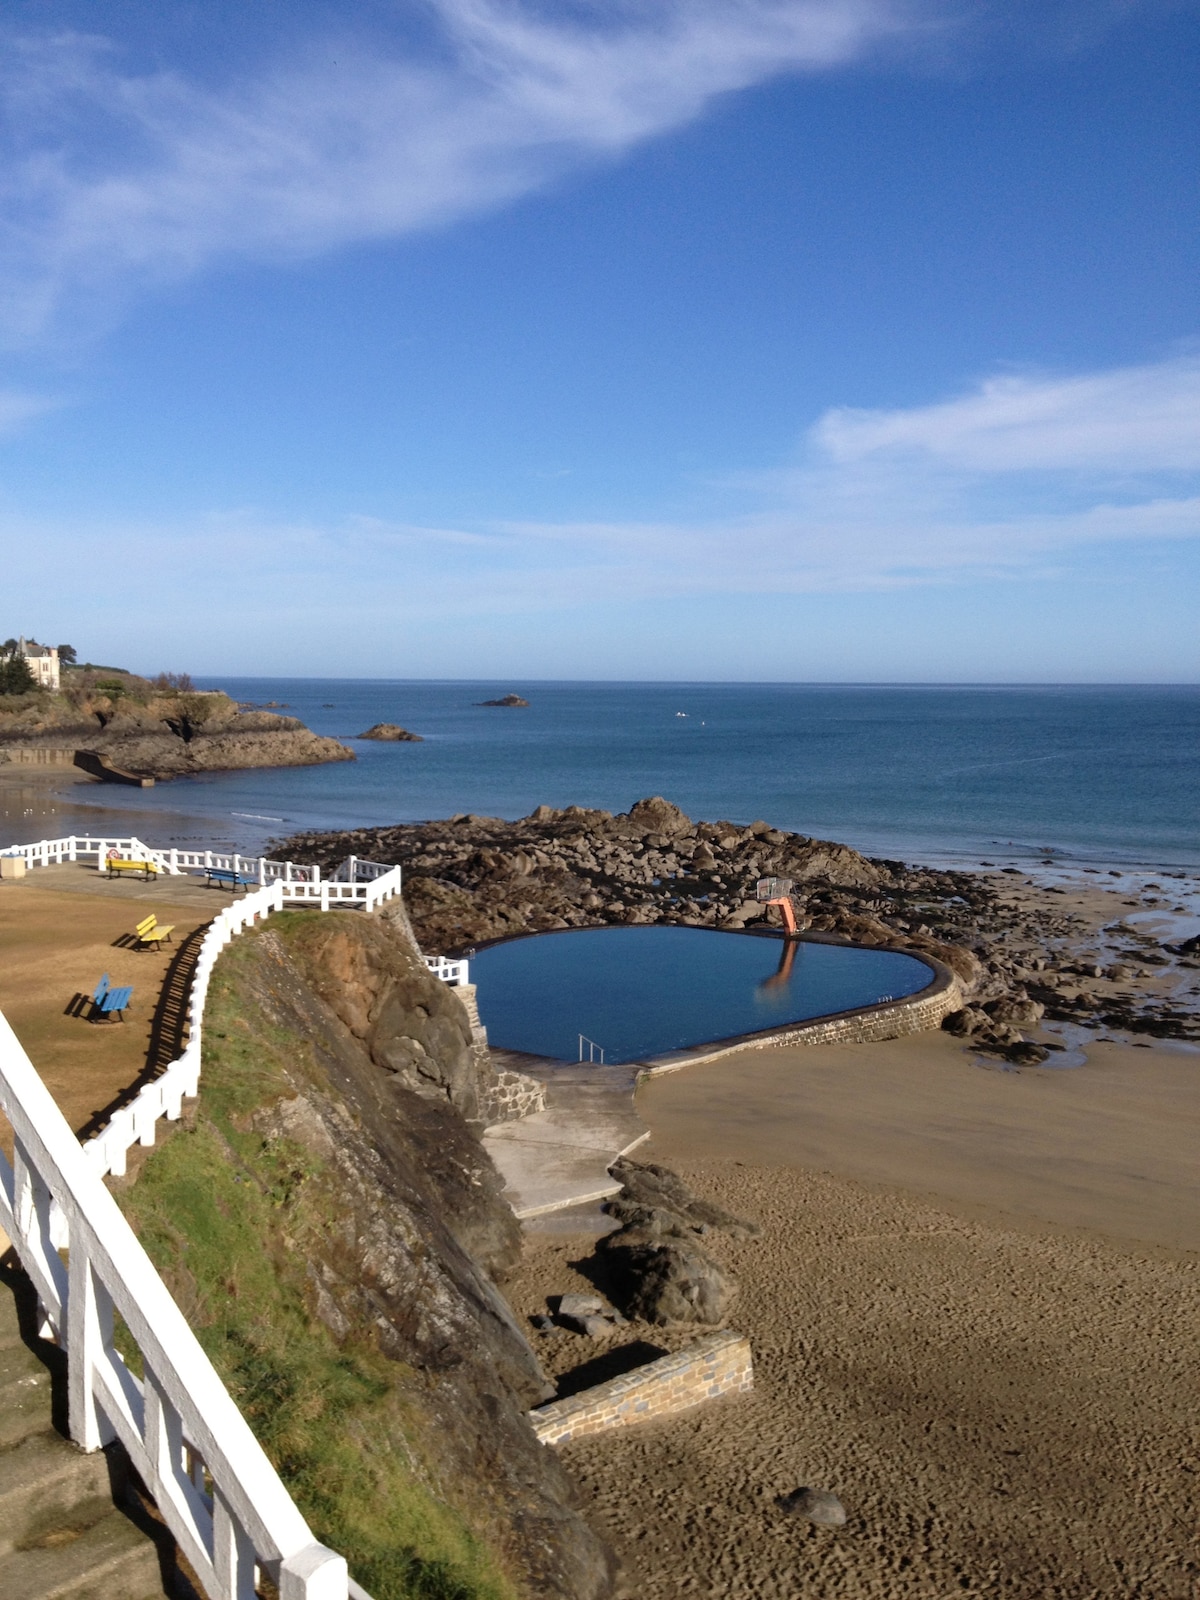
[(975, 1314)]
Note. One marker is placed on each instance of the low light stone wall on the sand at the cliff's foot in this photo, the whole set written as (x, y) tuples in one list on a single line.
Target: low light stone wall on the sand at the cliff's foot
[(714, 1366)]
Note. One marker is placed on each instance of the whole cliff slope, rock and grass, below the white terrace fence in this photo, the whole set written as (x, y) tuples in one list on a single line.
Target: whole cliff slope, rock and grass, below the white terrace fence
[(340, 1063)]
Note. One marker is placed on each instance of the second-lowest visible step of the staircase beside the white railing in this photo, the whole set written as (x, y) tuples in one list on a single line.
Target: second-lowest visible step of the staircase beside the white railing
[(49, 1486)]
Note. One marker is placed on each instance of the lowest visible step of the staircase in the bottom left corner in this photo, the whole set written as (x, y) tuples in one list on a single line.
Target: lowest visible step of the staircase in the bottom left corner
[(110, 1561)]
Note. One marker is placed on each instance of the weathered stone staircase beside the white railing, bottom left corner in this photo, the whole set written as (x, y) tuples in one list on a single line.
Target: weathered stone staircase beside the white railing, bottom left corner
[(71, 1527)]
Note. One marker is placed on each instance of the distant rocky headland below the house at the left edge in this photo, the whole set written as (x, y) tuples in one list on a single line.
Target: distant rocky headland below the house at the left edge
[(132, 727)]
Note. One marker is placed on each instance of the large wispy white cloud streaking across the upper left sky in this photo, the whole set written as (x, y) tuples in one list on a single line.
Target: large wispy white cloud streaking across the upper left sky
[(113, 177)]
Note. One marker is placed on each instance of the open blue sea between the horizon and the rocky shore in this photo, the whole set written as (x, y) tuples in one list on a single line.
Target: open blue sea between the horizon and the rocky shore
[(1108, 775)]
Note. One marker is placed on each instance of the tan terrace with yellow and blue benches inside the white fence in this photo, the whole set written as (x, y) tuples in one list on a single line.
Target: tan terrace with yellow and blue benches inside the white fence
[(65, 926)]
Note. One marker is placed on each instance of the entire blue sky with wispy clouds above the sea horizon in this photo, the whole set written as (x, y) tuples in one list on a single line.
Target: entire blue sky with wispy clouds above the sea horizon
[(794, 340)]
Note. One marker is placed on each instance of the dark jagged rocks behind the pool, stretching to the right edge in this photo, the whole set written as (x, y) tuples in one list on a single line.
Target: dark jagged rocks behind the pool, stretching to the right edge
[(1022, 954)]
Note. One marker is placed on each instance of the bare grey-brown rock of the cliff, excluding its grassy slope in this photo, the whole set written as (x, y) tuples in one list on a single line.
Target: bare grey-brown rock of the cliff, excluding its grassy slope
[(414, 1231)]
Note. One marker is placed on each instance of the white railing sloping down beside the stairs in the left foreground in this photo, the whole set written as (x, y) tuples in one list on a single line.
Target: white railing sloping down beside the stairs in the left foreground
[(214, 1484)]
